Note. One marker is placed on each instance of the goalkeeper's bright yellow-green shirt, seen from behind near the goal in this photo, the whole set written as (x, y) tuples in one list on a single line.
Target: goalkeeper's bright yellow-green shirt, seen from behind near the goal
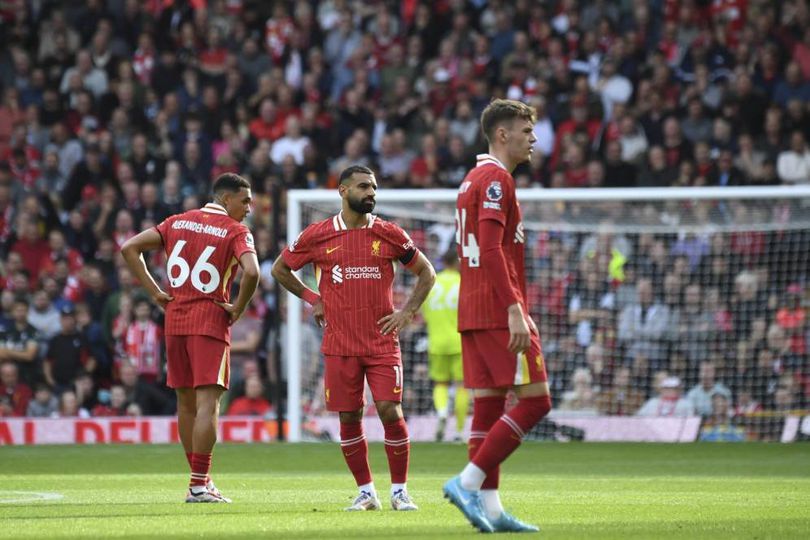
[(441, 314)]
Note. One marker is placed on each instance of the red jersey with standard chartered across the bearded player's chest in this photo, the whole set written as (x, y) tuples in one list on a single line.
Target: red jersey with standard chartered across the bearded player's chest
[(355, 273)]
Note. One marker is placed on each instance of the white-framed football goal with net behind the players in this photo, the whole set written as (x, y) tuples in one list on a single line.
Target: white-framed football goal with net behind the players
[(653, 303)]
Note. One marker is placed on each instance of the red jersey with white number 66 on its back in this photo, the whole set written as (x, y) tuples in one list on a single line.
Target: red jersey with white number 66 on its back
[(203, 249)]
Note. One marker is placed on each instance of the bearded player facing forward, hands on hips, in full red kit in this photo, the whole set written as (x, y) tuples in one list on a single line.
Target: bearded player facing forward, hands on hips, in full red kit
[(353, 253)]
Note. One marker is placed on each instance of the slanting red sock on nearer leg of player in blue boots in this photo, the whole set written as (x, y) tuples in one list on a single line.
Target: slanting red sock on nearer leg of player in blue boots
[(508, 432)]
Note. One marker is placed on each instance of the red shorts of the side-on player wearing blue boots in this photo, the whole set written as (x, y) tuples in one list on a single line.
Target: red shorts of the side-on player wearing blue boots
[(489, 364)]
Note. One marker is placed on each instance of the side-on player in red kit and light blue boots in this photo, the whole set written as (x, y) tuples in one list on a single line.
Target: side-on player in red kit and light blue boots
[(500, 343)]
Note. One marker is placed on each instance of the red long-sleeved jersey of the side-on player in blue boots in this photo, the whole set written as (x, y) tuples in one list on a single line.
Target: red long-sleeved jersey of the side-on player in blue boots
[(488, 192)]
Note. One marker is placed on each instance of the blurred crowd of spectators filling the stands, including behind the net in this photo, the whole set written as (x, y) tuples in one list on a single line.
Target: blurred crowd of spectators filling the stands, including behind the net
[(117, 114)]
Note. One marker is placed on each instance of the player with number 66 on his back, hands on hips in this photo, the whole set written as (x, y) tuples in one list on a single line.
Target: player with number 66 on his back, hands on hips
[(204, 248)]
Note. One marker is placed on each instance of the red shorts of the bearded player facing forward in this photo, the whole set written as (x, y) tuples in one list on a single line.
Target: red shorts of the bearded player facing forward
[(344, 388)]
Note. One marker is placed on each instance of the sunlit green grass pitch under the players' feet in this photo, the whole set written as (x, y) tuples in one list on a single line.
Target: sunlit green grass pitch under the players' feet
[(298, 491)]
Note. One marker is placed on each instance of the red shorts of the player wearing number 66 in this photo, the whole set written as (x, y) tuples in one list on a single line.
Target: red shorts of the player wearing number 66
[(197, 361)]
